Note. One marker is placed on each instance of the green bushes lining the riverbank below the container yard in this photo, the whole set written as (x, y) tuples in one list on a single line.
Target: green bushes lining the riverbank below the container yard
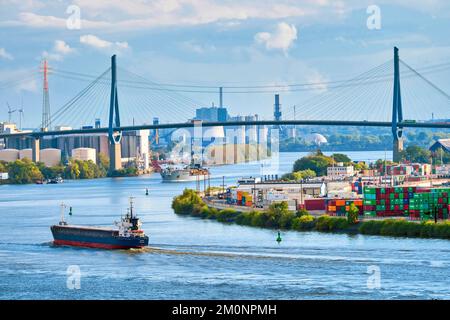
[(189, 203)]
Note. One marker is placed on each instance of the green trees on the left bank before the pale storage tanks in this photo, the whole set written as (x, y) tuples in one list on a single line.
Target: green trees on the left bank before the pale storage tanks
[(25, 171)]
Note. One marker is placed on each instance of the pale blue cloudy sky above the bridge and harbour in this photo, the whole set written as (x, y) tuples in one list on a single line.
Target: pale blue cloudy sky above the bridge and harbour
[(213, 43)]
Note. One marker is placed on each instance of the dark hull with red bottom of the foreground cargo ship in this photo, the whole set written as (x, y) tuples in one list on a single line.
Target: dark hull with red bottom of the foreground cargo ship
[(95, 238)]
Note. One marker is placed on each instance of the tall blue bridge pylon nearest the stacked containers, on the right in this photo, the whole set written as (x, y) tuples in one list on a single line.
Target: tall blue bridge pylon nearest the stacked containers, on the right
[(397, 112)]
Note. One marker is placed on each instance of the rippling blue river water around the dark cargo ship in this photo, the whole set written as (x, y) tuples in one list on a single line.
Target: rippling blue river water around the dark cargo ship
[(190, 258)]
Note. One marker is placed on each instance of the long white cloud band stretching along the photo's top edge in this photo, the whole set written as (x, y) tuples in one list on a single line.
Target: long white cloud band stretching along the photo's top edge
[(136, 14)]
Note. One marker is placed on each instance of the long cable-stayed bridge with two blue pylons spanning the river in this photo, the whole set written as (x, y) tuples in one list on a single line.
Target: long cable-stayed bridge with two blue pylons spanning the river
[(393, 95)]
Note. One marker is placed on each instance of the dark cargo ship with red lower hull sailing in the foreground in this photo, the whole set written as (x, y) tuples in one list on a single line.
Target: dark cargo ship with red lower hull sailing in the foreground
[(128, 234)]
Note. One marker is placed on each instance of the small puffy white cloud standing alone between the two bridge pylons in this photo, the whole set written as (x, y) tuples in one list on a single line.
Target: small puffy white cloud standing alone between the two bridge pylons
[(282, 38)]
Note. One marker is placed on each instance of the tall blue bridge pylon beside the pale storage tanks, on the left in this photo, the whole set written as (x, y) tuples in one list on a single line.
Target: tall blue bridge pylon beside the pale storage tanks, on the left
[(115, 150)]
